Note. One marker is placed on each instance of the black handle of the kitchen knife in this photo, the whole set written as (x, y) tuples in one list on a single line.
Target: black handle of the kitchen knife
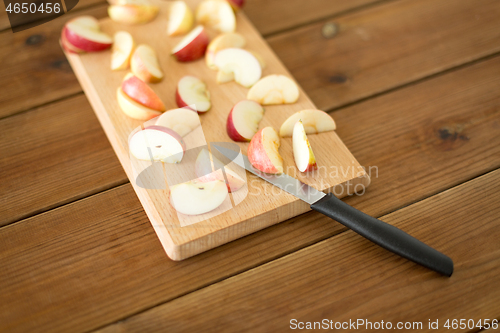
[(383, 234)]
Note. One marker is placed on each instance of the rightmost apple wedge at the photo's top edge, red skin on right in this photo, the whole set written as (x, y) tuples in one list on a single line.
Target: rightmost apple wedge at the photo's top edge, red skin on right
[(217, 15)]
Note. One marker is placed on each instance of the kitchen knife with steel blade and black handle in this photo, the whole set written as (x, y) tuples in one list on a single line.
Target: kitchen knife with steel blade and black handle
[(381, 233)]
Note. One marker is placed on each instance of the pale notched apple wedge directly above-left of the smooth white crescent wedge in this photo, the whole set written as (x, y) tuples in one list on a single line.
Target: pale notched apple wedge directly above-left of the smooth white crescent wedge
[(240, 63)]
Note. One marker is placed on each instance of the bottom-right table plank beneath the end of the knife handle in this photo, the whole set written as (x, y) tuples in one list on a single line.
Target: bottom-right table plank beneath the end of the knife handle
[(347, 277)]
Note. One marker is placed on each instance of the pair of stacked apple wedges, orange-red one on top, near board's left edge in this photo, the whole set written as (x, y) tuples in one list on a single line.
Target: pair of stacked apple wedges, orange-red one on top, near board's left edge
[(137, 100)]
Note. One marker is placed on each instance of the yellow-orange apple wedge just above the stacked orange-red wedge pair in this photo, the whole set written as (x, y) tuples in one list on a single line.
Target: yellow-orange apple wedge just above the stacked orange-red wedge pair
[(144, 64)]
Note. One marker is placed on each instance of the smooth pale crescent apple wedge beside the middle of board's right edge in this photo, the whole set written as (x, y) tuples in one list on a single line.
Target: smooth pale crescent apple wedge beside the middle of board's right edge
[(274, 89)]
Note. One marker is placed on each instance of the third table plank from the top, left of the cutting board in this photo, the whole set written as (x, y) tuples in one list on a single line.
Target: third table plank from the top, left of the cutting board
[(53, 155)]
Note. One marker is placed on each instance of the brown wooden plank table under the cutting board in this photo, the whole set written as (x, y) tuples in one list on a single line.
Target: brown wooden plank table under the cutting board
[(414, 86)]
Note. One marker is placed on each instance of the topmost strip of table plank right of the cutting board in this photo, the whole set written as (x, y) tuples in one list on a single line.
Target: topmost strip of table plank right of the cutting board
[(270, 17)]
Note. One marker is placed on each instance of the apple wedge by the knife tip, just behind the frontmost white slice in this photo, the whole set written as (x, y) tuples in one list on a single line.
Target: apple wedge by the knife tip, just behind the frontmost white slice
[(206, 167)]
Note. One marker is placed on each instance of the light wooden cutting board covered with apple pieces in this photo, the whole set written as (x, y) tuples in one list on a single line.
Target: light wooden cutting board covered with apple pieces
[(262, 206)]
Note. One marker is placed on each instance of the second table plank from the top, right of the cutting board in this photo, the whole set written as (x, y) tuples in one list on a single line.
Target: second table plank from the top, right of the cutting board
[(387, 46)]
